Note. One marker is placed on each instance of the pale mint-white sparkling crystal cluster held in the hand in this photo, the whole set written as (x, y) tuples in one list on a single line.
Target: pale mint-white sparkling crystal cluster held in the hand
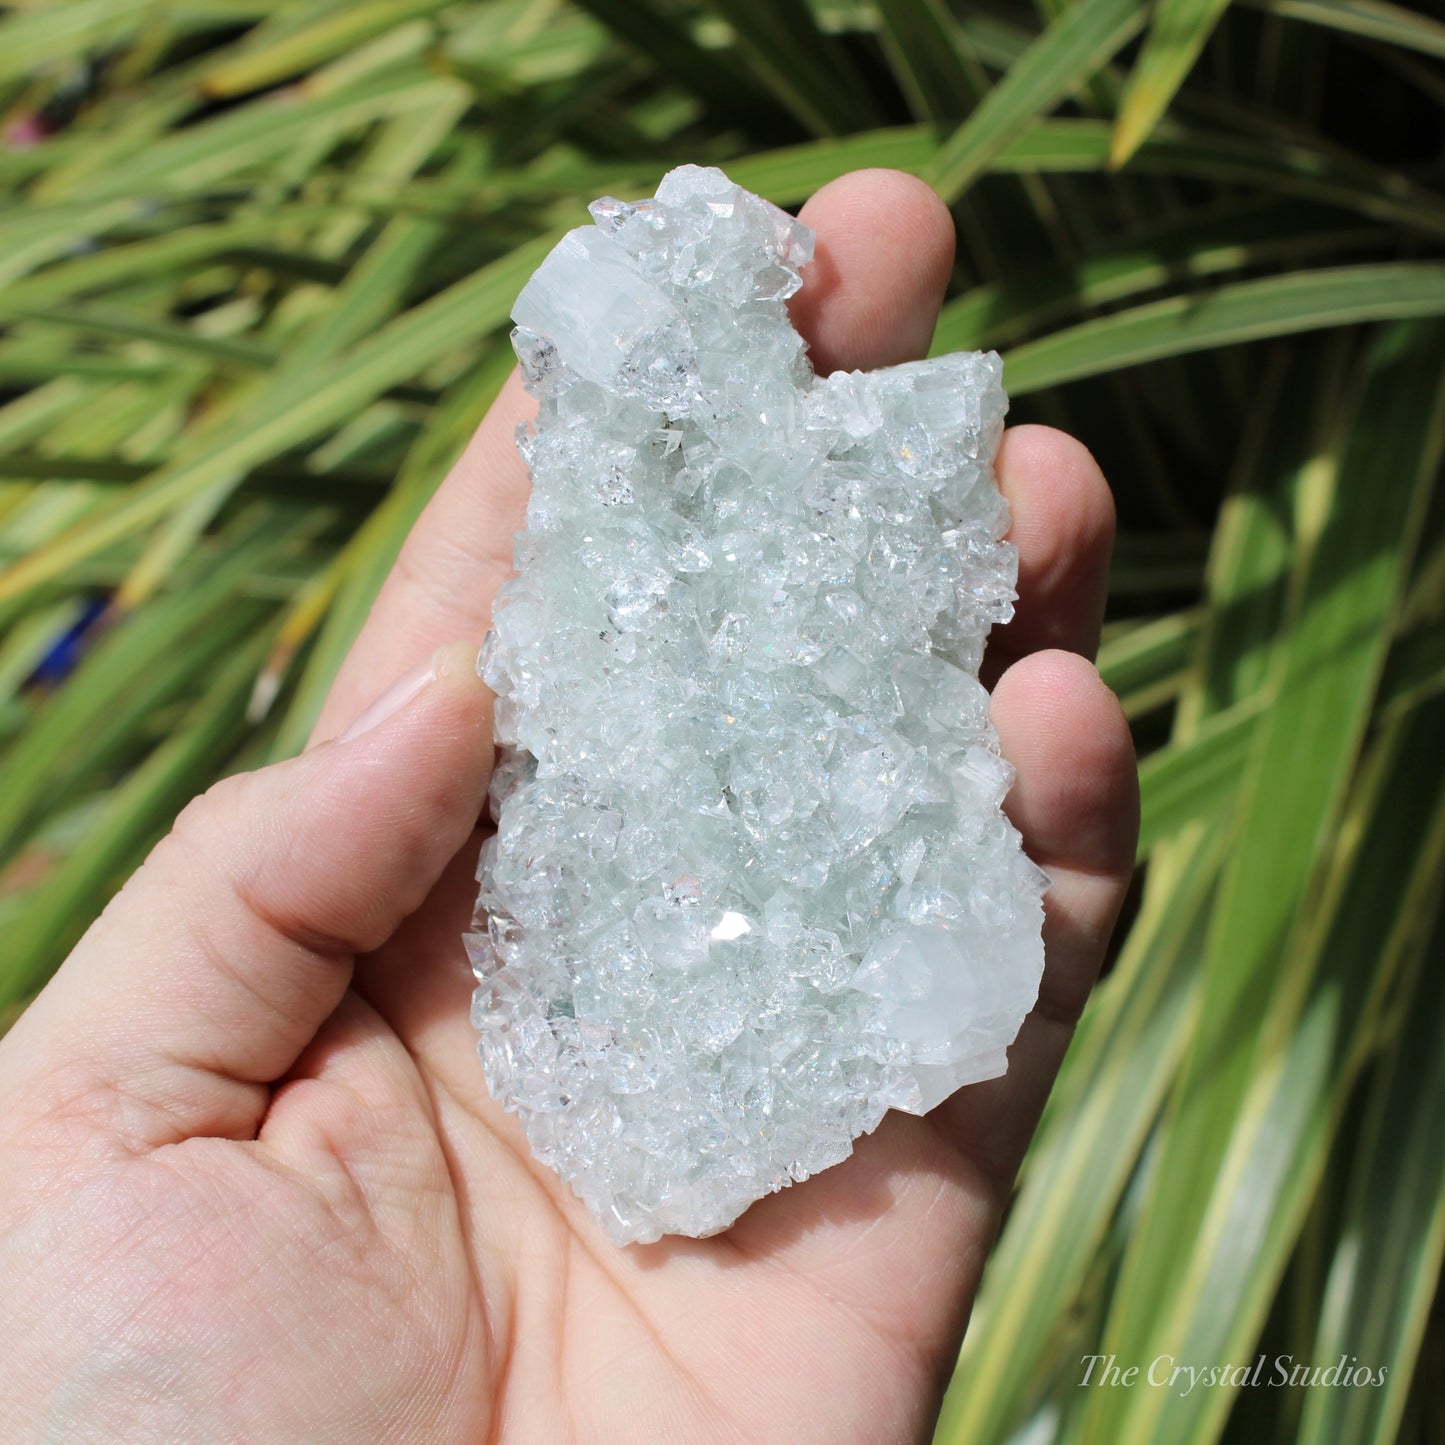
[(751, 885)]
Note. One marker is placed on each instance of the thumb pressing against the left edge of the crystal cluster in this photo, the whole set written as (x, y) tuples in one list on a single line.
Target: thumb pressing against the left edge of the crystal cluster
[(217, 963)]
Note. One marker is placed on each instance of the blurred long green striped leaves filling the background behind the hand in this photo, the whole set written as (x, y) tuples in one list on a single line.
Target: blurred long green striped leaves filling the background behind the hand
[(256, 259)]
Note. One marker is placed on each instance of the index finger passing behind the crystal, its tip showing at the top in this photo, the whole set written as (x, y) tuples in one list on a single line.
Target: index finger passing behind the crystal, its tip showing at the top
[(859, 310)]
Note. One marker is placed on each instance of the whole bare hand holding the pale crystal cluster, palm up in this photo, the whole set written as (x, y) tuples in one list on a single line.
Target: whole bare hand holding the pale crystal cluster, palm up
[(254, 1187)]
